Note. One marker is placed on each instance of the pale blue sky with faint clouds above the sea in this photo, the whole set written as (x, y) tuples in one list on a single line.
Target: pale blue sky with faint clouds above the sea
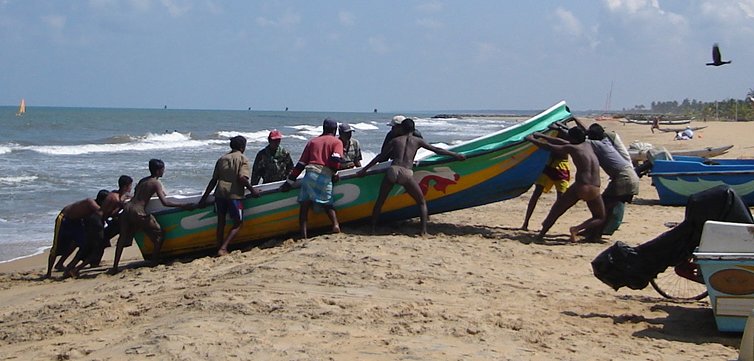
[(361, 55)]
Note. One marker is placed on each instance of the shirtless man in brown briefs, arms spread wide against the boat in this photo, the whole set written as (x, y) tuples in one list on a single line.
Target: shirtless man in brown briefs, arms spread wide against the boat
[(402, 150)]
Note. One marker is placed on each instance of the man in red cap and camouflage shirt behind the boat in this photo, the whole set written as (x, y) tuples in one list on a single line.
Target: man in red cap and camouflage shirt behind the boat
[(273, 162)]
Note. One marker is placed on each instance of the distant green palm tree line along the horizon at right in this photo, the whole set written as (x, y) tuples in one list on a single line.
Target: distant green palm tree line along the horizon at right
[(729, 109)]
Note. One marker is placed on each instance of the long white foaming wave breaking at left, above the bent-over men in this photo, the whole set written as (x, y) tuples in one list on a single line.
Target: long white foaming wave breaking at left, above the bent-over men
[(148, 142)]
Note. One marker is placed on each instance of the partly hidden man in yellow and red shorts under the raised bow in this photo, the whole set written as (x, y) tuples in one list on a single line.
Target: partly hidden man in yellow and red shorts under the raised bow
[(557, 173)]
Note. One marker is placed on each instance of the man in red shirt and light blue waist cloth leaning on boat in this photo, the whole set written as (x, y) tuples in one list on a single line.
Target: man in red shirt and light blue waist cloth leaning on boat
[(321, 159)]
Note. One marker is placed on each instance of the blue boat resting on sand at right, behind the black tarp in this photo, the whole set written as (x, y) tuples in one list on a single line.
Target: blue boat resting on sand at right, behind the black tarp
[(680, 177)]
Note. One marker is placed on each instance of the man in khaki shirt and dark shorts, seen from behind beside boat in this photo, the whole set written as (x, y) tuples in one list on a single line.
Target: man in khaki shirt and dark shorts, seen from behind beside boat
[(229, 180)]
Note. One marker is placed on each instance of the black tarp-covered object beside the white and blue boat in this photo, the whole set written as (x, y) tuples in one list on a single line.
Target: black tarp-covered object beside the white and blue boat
[(622, 265)]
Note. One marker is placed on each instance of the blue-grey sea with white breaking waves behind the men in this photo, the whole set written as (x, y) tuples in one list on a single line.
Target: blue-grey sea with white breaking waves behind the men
[(53, 156)]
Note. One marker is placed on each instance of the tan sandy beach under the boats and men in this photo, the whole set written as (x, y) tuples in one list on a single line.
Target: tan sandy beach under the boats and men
[(477, 288)]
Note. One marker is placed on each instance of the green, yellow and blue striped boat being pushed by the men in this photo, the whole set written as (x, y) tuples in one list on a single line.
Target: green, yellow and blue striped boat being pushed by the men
[(499, 166)]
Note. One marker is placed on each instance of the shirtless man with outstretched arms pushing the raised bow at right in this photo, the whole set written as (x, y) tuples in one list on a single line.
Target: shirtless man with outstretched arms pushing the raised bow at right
[(586, 185)]
